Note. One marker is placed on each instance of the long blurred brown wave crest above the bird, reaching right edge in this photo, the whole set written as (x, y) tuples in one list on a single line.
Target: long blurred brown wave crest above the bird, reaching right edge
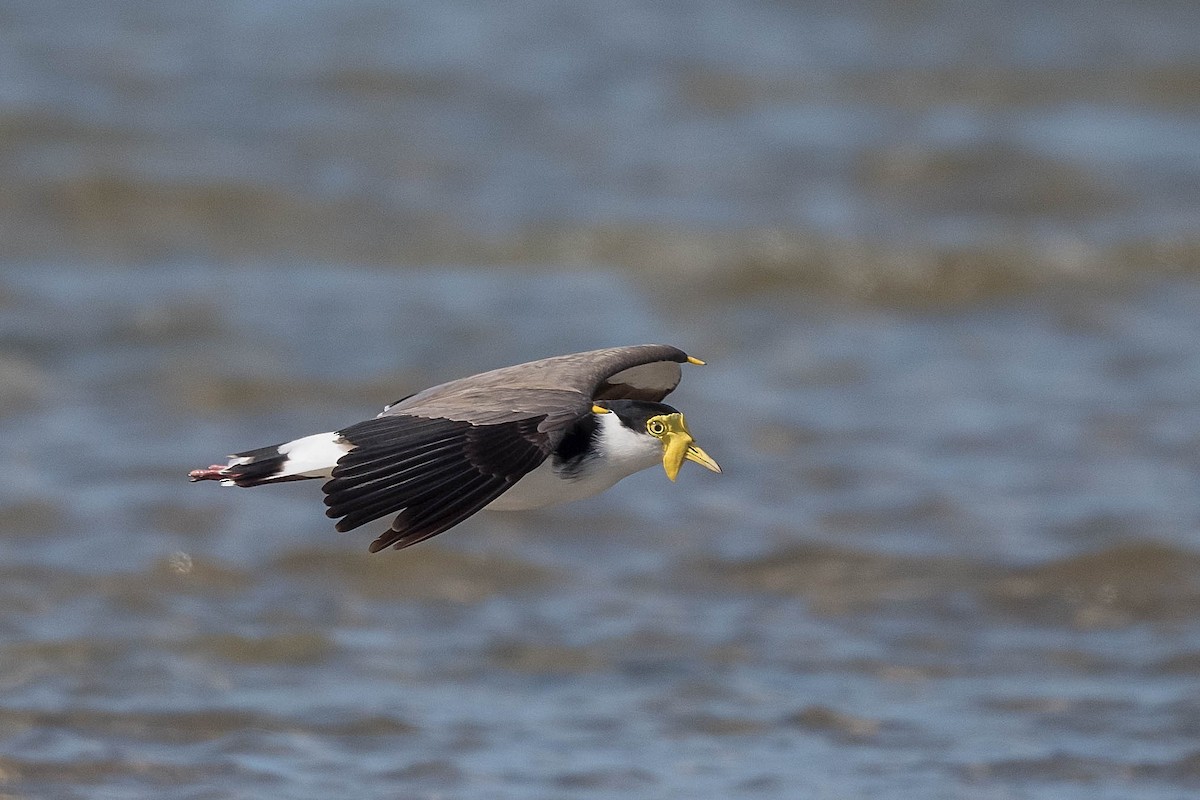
[(898, 273)]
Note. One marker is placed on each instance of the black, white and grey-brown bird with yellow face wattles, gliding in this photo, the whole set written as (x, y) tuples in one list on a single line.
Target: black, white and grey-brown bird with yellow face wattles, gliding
[(523, 437)]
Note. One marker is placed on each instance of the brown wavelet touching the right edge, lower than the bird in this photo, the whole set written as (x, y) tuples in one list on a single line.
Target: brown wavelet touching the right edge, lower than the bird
[(1121, 586)]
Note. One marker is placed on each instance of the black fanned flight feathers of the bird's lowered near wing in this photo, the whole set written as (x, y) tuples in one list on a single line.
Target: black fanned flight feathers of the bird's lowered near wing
[(433, 473)]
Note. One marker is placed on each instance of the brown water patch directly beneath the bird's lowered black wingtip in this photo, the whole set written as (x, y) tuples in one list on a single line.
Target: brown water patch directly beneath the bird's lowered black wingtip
[(422, 573)]
